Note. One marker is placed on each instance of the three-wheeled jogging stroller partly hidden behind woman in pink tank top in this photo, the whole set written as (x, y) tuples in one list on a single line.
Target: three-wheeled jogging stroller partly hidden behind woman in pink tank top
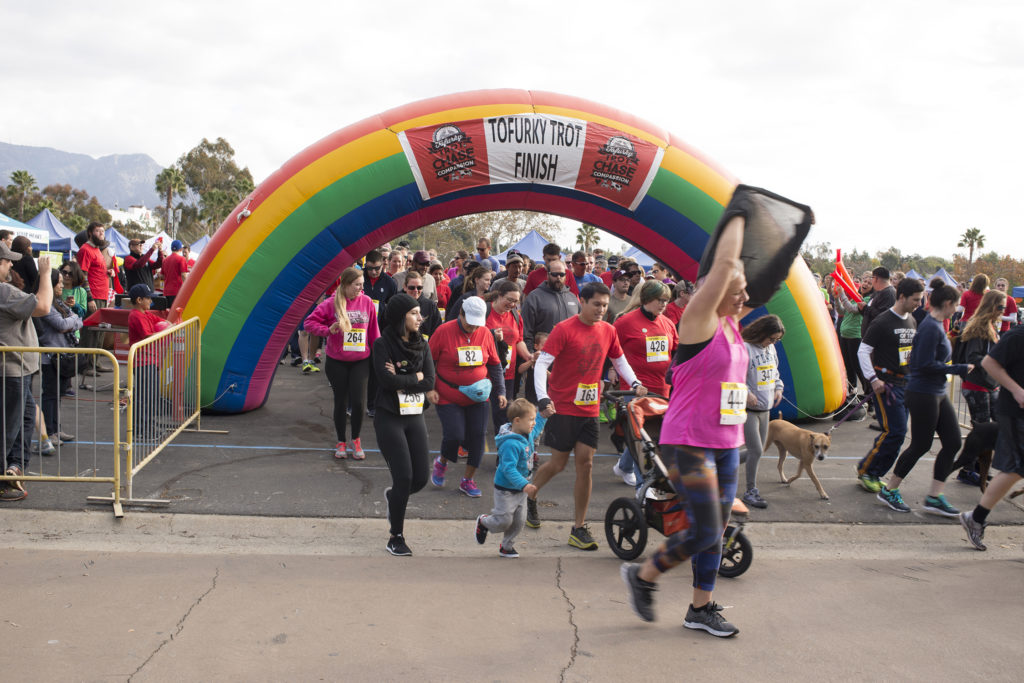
[(657, 505)]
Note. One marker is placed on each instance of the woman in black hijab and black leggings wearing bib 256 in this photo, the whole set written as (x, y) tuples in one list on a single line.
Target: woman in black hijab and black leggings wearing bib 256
[(405, 374)]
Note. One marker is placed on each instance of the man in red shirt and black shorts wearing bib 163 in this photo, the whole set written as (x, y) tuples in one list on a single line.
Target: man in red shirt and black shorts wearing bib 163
[(576, 353)]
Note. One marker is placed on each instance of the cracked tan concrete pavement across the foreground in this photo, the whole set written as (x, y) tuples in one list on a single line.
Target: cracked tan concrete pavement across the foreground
[(210, 597)]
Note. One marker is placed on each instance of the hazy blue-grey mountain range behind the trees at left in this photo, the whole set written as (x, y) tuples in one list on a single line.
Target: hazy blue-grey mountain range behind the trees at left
[(117, 181)]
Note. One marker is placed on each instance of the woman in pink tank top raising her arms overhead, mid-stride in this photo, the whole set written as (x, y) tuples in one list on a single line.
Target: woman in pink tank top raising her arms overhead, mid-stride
[(701, 436)]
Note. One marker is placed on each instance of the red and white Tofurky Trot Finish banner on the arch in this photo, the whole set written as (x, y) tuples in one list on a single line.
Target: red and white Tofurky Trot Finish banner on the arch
[(533, 149)]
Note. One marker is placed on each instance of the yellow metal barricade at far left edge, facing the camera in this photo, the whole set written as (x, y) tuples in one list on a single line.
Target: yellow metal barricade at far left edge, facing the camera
[(78, 422)]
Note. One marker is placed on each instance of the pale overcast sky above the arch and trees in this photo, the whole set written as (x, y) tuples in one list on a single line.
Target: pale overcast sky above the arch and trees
[(899, 122)]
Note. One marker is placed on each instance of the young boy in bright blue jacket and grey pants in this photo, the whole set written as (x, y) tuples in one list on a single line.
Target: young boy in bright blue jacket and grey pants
[(516, 453)]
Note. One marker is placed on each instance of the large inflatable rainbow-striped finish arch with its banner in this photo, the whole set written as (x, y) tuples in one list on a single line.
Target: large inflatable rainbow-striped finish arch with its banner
[(363, 186)]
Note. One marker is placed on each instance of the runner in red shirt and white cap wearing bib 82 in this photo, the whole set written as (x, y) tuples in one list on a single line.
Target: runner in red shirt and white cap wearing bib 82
[(464, 356)]
